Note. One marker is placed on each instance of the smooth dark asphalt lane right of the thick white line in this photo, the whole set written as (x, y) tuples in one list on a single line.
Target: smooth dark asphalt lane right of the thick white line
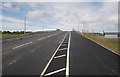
[(89, 58)]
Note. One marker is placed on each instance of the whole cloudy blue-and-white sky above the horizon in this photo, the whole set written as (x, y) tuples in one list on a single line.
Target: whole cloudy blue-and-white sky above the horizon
[(64, 15)]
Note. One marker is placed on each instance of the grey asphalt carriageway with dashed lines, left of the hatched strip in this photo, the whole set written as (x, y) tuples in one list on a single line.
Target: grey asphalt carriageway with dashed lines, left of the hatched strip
[(30, 55)]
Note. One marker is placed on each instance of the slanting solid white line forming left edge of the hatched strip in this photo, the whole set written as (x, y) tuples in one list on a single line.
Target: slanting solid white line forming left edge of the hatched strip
[(52, 57)]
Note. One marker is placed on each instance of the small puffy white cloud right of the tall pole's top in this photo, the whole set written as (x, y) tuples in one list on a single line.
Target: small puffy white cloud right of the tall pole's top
[(35, 14)]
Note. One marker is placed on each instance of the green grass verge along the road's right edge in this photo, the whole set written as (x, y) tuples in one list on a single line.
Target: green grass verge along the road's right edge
[(107, 42)]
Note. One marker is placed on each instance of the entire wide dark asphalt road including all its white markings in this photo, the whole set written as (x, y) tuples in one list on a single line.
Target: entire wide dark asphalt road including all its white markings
[(57, 53)]
